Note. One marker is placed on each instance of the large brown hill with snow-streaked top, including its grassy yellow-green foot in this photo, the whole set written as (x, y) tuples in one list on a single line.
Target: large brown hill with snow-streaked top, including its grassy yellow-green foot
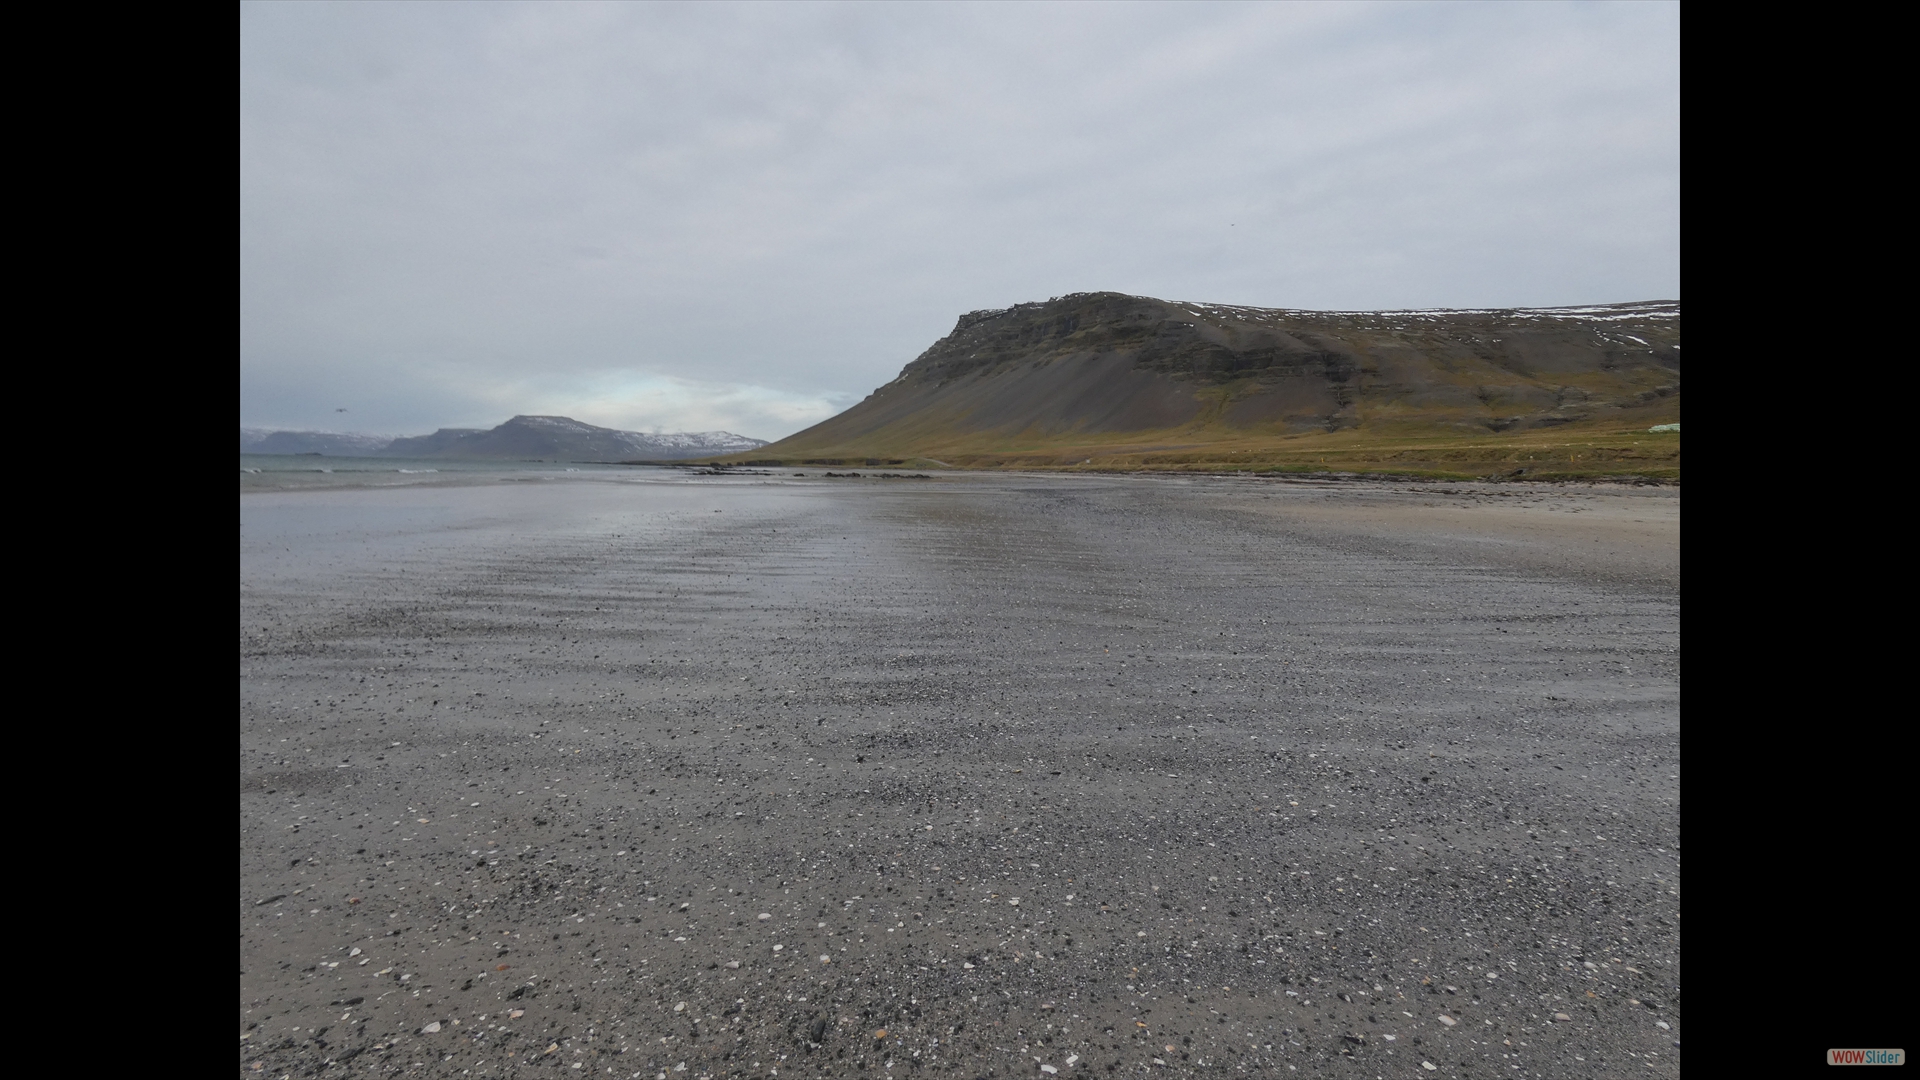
[(1124, 381)]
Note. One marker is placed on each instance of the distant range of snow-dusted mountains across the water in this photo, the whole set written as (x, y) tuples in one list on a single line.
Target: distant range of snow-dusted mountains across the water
[(548, 439)]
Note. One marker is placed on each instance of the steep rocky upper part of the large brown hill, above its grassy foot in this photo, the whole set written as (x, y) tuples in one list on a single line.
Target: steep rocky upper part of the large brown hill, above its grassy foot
[(1105, 362)]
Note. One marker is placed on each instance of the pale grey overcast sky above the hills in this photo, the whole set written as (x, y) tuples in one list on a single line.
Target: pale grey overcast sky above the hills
[(748, 216)]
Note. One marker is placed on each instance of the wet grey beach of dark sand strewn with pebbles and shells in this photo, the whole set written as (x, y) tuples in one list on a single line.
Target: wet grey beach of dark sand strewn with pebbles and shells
[(1280, 775)]
